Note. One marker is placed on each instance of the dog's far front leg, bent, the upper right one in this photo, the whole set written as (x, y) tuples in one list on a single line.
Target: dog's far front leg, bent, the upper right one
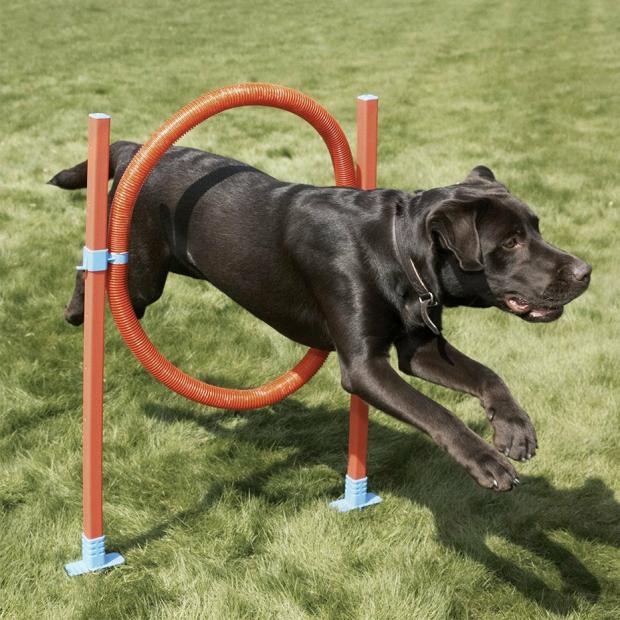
[(434, 359)]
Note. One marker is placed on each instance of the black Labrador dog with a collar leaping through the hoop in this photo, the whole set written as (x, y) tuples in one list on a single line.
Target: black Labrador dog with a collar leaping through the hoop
[(357, 272)]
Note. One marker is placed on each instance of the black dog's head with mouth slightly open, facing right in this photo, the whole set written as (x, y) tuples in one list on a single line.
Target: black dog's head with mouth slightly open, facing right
[(492, 253)]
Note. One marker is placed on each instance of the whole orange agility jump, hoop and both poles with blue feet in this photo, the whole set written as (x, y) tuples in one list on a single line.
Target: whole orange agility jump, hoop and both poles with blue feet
[(101, 264)]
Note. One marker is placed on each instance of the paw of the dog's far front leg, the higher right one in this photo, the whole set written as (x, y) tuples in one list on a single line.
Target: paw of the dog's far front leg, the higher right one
[(513, 433)]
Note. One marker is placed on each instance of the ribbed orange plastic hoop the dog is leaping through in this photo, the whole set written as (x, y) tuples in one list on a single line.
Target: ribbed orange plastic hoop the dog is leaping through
[(127, 192)]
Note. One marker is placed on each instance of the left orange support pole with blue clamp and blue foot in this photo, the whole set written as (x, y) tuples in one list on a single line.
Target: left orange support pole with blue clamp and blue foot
[(95, 262)]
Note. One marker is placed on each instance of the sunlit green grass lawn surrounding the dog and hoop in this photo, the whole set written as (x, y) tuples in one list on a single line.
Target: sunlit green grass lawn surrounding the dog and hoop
[(224, 514)]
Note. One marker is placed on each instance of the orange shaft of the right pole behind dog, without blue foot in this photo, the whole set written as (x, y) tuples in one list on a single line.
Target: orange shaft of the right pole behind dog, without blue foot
[(367, 134)]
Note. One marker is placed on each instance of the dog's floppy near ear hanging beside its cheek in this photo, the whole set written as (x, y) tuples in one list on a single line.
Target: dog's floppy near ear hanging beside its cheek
[(454, 222)]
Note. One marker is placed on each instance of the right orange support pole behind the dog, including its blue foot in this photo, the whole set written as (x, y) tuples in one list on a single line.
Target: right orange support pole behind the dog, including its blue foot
[(356, 480)]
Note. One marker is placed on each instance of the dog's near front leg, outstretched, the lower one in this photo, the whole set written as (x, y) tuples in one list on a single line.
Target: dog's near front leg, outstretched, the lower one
[(372, 378)]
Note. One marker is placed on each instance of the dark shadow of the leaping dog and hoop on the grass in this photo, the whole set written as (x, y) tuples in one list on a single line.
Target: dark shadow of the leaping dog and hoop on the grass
[(527, 518)]
